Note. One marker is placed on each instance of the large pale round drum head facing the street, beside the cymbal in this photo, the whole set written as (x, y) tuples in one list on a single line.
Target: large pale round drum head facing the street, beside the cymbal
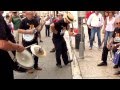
[(25, 59)]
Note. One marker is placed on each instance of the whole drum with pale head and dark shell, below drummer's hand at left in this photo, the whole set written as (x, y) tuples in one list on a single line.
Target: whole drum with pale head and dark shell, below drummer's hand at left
[(24, 61)]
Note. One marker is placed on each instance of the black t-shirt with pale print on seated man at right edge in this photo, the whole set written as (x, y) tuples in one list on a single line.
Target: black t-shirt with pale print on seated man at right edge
[(116, 36)]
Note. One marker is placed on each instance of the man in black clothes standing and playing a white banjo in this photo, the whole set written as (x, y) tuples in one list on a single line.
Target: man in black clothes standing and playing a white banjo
[(30, 26)]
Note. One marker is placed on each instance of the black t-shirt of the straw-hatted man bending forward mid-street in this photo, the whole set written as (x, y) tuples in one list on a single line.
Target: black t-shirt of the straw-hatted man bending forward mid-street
[(59, 27)]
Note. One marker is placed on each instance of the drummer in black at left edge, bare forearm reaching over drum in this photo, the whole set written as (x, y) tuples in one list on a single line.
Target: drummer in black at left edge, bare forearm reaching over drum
[(7, 43)]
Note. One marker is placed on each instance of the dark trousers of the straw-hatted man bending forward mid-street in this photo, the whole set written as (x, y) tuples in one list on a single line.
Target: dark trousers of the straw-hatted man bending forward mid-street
[(61, 49)]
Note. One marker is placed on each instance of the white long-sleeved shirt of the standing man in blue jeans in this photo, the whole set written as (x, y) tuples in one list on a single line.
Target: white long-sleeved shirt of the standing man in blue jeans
[(95, 20)]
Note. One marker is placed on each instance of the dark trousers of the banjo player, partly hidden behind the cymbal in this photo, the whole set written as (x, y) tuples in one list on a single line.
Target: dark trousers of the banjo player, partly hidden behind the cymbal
[(35, 57)]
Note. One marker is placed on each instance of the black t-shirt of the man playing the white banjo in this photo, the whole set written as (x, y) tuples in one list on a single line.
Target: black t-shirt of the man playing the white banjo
[(25, 24)]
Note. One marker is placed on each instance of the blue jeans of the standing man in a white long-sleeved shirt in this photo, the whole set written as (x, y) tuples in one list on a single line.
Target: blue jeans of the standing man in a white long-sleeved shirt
[(93, 31)]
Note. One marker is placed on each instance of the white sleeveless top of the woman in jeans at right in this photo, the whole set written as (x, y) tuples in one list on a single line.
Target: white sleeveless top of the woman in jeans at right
[(110, 24)]
